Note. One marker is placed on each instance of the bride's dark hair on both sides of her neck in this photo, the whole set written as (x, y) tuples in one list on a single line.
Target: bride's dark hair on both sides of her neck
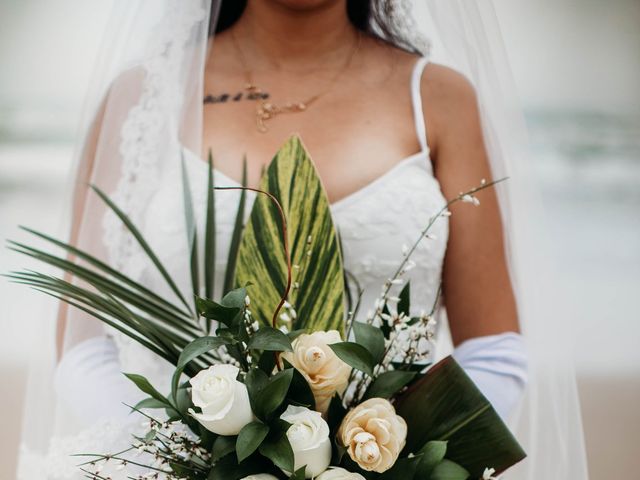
[(368, 16)]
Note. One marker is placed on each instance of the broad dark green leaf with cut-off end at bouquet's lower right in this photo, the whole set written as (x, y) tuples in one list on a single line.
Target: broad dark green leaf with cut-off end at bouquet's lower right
[(446, 405)]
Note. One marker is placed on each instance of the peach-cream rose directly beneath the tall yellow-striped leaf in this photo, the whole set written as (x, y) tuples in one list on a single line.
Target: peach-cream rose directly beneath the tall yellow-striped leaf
[(323, 370)]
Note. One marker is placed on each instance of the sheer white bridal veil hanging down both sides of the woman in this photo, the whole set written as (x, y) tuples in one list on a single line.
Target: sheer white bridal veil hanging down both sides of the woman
[(145, 103)]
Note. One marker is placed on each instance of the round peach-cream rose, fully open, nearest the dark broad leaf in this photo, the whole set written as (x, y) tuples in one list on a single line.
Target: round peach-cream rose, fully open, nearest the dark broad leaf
[(373, 434)]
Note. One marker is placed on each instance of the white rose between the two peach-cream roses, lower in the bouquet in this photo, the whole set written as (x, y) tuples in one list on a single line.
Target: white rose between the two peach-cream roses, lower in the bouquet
[(309, 439)]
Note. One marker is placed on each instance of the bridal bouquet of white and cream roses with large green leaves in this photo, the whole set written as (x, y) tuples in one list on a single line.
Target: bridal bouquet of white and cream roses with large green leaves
[(280, 378)]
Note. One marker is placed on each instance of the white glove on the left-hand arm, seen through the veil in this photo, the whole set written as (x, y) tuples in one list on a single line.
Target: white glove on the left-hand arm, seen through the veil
[(89, 383)]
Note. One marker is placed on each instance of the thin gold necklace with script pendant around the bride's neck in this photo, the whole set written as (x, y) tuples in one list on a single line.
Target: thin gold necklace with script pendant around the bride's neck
[(266, 110)]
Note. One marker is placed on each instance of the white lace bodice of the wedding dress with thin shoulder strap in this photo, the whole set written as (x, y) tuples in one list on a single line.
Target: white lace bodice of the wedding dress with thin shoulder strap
[(375, 223)]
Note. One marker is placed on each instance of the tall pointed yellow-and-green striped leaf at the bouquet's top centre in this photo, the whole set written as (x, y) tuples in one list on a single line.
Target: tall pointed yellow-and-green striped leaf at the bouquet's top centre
[(313, 246)]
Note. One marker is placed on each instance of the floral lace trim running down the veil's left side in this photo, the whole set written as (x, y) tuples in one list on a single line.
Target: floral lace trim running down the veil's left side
[(143, 133)]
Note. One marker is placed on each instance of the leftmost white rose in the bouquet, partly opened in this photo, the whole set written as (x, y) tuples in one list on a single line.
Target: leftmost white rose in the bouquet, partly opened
[(223, 399)]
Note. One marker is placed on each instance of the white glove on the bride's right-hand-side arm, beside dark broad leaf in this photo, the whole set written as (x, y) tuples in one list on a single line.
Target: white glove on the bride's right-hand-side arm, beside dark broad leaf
[(497, 364)]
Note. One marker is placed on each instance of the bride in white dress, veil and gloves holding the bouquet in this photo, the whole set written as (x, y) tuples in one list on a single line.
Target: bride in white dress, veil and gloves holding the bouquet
[(392, 132)]
